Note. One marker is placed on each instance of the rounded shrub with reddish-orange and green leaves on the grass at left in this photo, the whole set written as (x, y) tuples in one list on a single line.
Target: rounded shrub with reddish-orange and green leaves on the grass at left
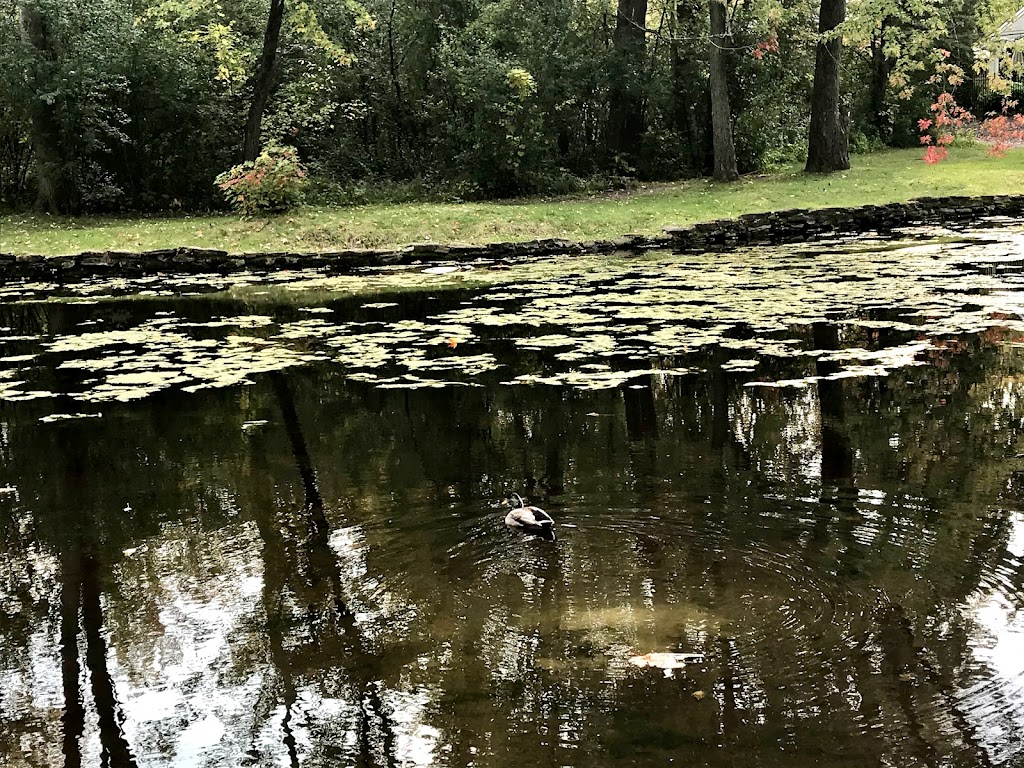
[(272, 184)]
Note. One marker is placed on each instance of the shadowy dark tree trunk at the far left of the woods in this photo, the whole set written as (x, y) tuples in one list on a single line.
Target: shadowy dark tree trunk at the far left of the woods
[(56, 193)]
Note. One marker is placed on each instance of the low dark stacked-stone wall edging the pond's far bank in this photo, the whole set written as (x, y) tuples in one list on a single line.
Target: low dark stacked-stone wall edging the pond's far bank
[(752, 229)]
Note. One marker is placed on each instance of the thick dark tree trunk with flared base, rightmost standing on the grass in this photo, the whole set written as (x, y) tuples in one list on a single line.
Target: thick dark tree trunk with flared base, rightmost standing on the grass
[(828, 148)]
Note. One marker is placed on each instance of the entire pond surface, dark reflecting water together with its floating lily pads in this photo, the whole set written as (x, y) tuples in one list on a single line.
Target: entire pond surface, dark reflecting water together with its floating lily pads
[(260, 523)]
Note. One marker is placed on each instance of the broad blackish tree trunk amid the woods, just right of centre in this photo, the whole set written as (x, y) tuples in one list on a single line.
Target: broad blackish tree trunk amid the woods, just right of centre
[(626, 120)]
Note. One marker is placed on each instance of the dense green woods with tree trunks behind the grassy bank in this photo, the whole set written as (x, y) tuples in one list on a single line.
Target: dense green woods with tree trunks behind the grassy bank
[(140, 105)]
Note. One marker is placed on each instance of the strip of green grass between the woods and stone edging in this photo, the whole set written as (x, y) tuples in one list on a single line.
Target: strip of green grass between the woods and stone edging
[(884, 178)]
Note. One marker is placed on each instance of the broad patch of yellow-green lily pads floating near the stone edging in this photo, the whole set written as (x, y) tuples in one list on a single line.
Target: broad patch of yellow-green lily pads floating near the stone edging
[(585, 323)]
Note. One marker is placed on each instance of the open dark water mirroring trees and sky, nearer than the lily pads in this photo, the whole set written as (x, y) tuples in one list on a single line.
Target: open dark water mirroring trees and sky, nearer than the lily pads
[(314, 572)]
